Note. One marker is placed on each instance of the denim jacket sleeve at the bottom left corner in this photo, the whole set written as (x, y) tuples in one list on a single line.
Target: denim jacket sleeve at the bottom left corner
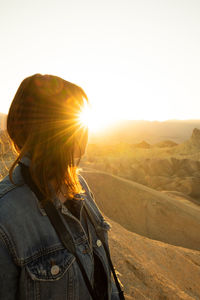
[(9, 275)]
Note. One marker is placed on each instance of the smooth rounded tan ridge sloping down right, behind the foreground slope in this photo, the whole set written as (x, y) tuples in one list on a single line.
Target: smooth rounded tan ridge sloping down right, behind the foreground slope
[(146, 211)]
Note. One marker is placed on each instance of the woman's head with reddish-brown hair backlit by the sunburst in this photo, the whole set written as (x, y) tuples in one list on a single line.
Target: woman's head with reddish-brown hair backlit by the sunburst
[(43, 123)]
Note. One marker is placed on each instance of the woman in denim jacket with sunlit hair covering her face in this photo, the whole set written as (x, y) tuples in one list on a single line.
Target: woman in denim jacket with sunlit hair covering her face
[(53, 238)]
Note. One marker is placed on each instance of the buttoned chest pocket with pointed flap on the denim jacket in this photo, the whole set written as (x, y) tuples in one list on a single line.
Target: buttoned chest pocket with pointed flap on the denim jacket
[(52, 277)]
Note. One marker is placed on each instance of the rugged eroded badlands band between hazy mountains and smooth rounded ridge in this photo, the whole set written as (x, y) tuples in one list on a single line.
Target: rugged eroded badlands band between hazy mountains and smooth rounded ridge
[(163, 166)]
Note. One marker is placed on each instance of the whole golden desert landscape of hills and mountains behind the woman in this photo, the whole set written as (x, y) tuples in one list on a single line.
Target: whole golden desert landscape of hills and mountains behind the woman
[(146, 183)]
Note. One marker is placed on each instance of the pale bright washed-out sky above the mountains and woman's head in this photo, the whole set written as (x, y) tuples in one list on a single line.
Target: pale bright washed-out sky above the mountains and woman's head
[(135, 59)]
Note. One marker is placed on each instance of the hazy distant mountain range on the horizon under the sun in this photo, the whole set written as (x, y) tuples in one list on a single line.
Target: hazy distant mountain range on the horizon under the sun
[(151, 131)]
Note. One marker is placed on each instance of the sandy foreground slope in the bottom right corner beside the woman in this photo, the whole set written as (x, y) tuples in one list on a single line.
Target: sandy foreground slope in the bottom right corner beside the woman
[(154, 270)]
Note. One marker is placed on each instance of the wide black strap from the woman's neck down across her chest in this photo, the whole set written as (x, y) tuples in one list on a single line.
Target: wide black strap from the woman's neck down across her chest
[(58, 225)]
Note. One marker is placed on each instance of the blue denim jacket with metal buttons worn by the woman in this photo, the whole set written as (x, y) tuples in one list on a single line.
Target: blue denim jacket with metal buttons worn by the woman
[(34, 264)]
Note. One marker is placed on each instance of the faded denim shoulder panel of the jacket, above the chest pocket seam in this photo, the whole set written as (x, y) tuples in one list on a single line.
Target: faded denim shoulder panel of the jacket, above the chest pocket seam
[(24, 227)]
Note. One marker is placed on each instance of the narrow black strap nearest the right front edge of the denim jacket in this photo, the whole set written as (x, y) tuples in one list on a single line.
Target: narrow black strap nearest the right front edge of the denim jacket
[(101, 237)]
